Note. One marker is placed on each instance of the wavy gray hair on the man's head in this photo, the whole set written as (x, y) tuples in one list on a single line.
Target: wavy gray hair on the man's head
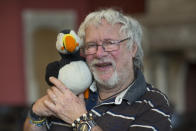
[(130, 27)]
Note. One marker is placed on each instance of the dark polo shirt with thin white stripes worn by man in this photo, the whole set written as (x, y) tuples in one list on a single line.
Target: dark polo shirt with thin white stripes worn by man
[(139, 108)]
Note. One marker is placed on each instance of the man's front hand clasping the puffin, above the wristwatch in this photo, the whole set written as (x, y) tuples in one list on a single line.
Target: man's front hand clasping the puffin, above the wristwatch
[(66, 105)]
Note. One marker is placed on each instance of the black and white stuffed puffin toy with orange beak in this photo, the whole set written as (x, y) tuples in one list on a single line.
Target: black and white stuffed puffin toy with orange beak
[(71, 69)]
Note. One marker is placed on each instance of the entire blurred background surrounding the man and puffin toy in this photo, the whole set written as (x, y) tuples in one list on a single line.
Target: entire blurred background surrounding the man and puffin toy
[(27, 45)]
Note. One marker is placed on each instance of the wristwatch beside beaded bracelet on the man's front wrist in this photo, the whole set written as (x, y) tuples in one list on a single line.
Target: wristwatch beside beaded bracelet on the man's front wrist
[(86, 125)]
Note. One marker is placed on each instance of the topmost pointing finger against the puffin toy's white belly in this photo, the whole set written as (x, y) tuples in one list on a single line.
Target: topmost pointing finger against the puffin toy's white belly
[(58, 84)]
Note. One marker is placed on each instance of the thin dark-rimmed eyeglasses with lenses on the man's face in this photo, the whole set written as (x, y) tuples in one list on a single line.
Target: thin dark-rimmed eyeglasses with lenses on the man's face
[(107, 45)]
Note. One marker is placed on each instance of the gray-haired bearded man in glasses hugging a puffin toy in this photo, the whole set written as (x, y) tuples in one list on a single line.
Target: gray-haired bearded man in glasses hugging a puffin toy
[(120, 99)]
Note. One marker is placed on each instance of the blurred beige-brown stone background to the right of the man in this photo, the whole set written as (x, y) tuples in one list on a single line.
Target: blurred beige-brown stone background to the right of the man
[(170, 55)]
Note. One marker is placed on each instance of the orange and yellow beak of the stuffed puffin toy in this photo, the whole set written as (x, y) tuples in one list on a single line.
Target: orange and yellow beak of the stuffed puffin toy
[(70, 43)]
